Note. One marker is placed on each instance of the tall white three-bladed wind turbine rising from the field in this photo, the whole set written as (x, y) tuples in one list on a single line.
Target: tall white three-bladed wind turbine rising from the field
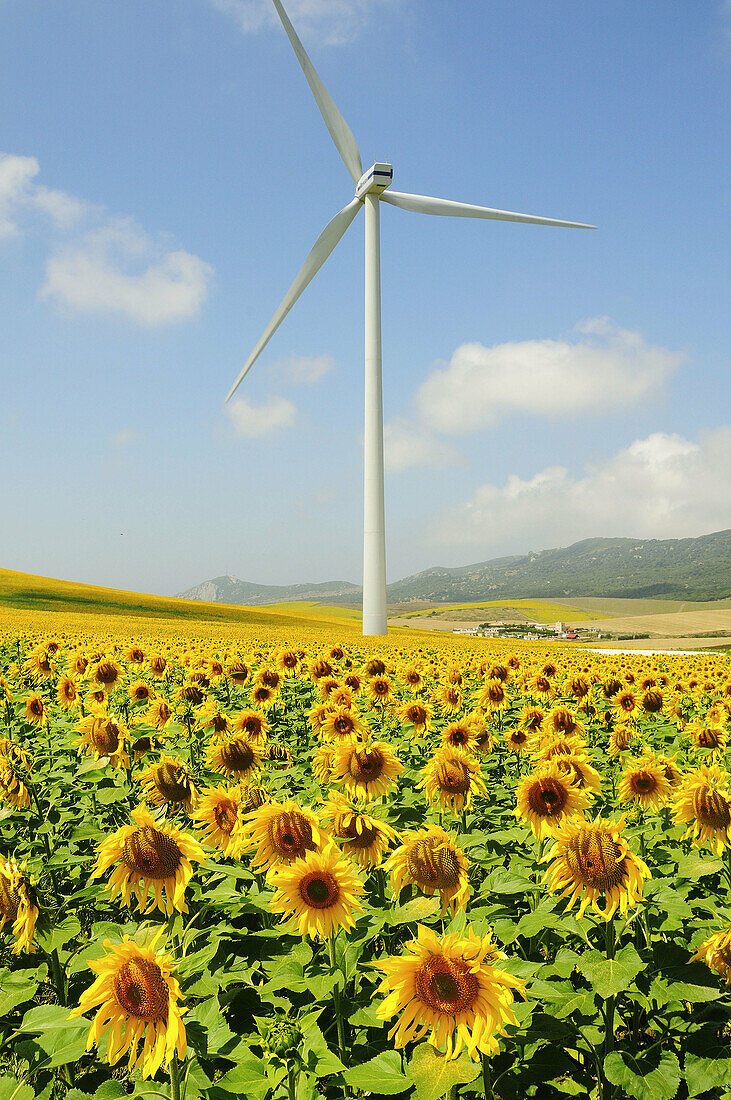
[(371, 190)]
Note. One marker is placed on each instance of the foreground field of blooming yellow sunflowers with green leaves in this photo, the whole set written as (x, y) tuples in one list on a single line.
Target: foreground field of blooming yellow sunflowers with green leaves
[(296, 865)]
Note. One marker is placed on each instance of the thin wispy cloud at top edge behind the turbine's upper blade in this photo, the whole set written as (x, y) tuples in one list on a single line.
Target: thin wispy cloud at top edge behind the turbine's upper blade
[(330, 23)]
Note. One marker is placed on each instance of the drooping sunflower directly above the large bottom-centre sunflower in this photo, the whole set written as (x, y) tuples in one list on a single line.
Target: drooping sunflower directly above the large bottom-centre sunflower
[(431, 861)]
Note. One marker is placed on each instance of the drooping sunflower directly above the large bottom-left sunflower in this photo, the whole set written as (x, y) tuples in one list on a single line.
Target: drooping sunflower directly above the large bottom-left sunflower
[(149, 856)]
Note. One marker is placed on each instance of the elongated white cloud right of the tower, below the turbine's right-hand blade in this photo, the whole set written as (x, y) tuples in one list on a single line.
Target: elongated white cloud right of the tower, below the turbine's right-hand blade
[(605, 369)]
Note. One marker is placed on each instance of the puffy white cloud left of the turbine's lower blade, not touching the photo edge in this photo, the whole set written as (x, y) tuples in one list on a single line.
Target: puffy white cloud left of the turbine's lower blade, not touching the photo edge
[(119, 270)]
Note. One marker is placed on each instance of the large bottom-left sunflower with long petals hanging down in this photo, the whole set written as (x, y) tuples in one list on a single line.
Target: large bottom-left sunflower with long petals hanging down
[(138, 1000)]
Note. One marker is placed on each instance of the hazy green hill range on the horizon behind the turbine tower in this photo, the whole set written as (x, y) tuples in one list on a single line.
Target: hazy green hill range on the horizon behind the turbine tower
[(671, 569)]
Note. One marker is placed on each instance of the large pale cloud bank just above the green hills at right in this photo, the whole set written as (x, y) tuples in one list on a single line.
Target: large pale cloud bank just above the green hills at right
[(663, 487)]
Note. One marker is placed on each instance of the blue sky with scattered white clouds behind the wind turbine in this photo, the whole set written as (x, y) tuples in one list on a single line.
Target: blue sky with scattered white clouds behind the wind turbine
[(163, 174)]
